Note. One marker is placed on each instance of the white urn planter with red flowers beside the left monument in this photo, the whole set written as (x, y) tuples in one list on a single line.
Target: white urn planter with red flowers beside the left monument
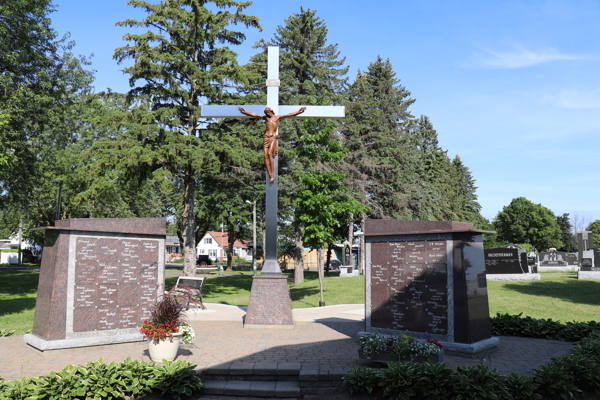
[(166, 327)]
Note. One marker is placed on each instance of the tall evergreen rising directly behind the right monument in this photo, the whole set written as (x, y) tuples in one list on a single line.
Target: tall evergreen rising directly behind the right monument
[(376, 131)]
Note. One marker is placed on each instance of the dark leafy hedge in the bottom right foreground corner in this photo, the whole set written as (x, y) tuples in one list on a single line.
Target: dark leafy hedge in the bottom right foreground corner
[(568, 377)]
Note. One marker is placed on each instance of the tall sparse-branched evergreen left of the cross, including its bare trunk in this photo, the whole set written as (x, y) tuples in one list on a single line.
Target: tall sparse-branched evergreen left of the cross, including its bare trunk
[(178, 64)]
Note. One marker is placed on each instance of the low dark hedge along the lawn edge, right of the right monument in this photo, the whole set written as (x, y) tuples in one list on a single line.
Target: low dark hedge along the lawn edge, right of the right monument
[(514, 325)]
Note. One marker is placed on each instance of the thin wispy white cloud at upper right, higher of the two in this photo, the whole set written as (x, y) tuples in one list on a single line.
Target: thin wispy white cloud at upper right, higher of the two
[(520, 57)]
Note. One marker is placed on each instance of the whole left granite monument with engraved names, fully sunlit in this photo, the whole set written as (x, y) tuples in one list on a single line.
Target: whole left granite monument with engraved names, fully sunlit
[(98, 278)]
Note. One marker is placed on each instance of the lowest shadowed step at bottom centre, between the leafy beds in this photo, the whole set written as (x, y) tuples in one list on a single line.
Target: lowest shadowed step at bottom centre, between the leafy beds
[(252, 389)]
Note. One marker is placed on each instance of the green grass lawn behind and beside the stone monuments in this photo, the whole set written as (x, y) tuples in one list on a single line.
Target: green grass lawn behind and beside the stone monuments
[(559, 295)]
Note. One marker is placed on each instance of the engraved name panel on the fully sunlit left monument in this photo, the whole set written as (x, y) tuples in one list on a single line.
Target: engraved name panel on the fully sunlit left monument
[(115, 282)]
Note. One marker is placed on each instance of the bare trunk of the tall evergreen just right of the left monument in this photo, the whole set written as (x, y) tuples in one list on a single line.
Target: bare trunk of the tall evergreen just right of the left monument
[(189, 222)]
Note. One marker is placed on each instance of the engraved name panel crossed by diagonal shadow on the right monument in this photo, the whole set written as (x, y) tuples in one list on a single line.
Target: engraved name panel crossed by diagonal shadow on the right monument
[(409, 286)]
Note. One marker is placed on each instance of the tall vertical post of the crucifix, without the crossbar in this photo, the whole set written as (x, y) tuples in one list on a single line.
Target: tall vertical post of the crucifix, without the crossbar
[(270, 264)]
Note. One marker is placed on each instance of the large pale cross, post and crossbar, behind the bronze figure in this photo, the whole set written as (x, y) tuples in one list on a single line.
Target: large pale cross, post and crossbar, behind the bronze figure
[(270, 265)]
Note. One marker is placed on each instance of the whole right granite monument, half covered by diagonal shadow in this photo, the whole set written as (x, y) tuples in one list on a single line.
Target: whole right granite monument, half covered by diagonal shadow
[(427, 279)]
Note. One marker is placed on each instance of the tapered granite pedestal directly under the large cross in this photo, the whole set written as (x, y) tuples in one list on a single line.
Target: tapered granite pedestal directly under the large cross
[(270, 304)]
